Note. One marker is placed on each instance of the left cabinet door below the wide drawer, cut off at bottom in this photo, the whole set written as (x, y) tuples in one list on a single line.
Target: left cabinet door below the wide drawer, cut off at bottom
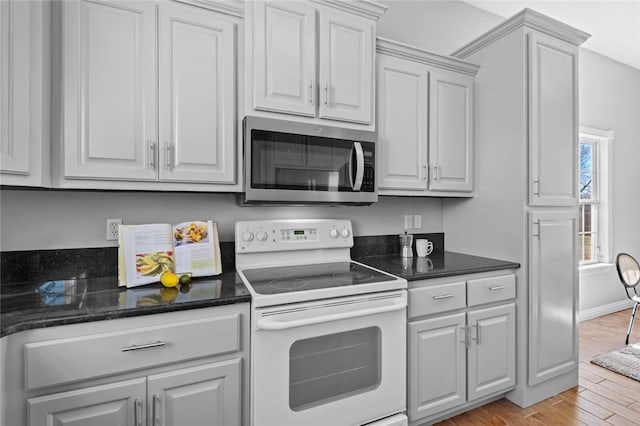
[(117, 404)]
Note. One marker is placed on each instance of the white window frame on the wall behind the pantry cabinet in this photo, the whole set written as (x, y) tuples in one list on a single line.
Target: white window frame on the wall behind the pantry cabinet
[(601, 140)]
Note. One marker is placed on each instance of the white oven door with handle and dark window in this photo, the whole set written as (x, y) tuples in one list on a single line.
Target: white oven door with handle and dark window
[(335, 362)]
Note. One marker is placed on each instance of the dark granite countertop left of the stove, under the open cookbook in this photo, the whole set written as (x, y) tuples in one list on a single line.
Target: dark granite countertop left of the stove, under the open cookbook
[(38, 304)]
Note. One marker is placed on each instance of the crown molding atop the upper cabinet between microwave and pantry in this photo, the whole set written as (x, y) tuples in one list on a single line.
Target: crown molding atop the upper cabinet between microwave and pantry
[(415, 54)]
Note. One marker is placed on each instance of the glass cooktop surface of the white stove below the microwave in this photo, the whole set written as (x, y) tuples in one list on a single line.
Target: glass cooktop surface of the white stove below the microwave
[(286, 279)]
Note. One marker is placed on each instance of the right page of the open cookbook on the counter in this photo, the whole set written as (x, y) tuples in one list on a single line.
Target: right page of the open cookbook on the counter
[(197, 249)]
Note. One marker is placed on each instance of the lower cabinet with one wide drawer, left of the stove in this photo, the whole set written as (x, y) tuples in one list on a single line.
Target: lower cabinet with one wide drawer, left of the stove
[(170, 369)]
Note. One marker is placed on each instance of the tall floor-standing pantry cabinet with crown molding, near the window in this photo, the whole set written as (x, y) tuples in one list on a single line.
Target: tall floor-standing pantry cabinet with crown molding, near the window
[(525, 204)]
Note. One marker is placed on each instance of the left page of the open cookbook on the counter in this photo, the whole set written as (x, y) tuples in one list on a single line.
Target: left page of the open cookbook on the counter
[(145, 252)]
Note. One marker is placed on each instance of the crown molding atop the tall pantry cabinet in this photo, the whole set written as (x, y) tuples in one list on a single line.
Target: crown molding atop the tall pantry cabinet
[(526, 18)]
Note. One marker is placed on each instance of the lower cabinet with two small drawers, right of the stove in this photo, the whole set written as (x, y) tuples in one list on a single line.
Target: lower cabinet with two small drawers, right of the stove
[(464, 353)]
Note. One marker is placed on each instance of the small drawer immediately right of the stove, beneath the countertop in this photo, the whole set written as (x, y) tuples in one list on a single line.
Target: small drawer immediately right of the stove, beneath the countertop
[(436, 298)]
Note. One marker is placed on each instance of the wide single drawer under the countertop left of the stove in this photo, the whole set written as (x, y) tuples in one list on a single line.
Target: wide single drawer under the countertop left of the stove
[(83, 357)]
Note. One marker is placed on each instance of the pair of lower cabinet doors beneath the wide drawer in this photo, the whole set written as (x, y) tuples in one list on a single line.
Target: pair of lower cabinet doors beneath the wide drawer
[(202, 395)]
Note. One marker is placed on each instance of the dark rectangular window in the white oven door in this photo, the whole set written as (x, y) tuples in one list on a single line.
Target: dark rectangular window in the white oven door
[(335, 366)]
